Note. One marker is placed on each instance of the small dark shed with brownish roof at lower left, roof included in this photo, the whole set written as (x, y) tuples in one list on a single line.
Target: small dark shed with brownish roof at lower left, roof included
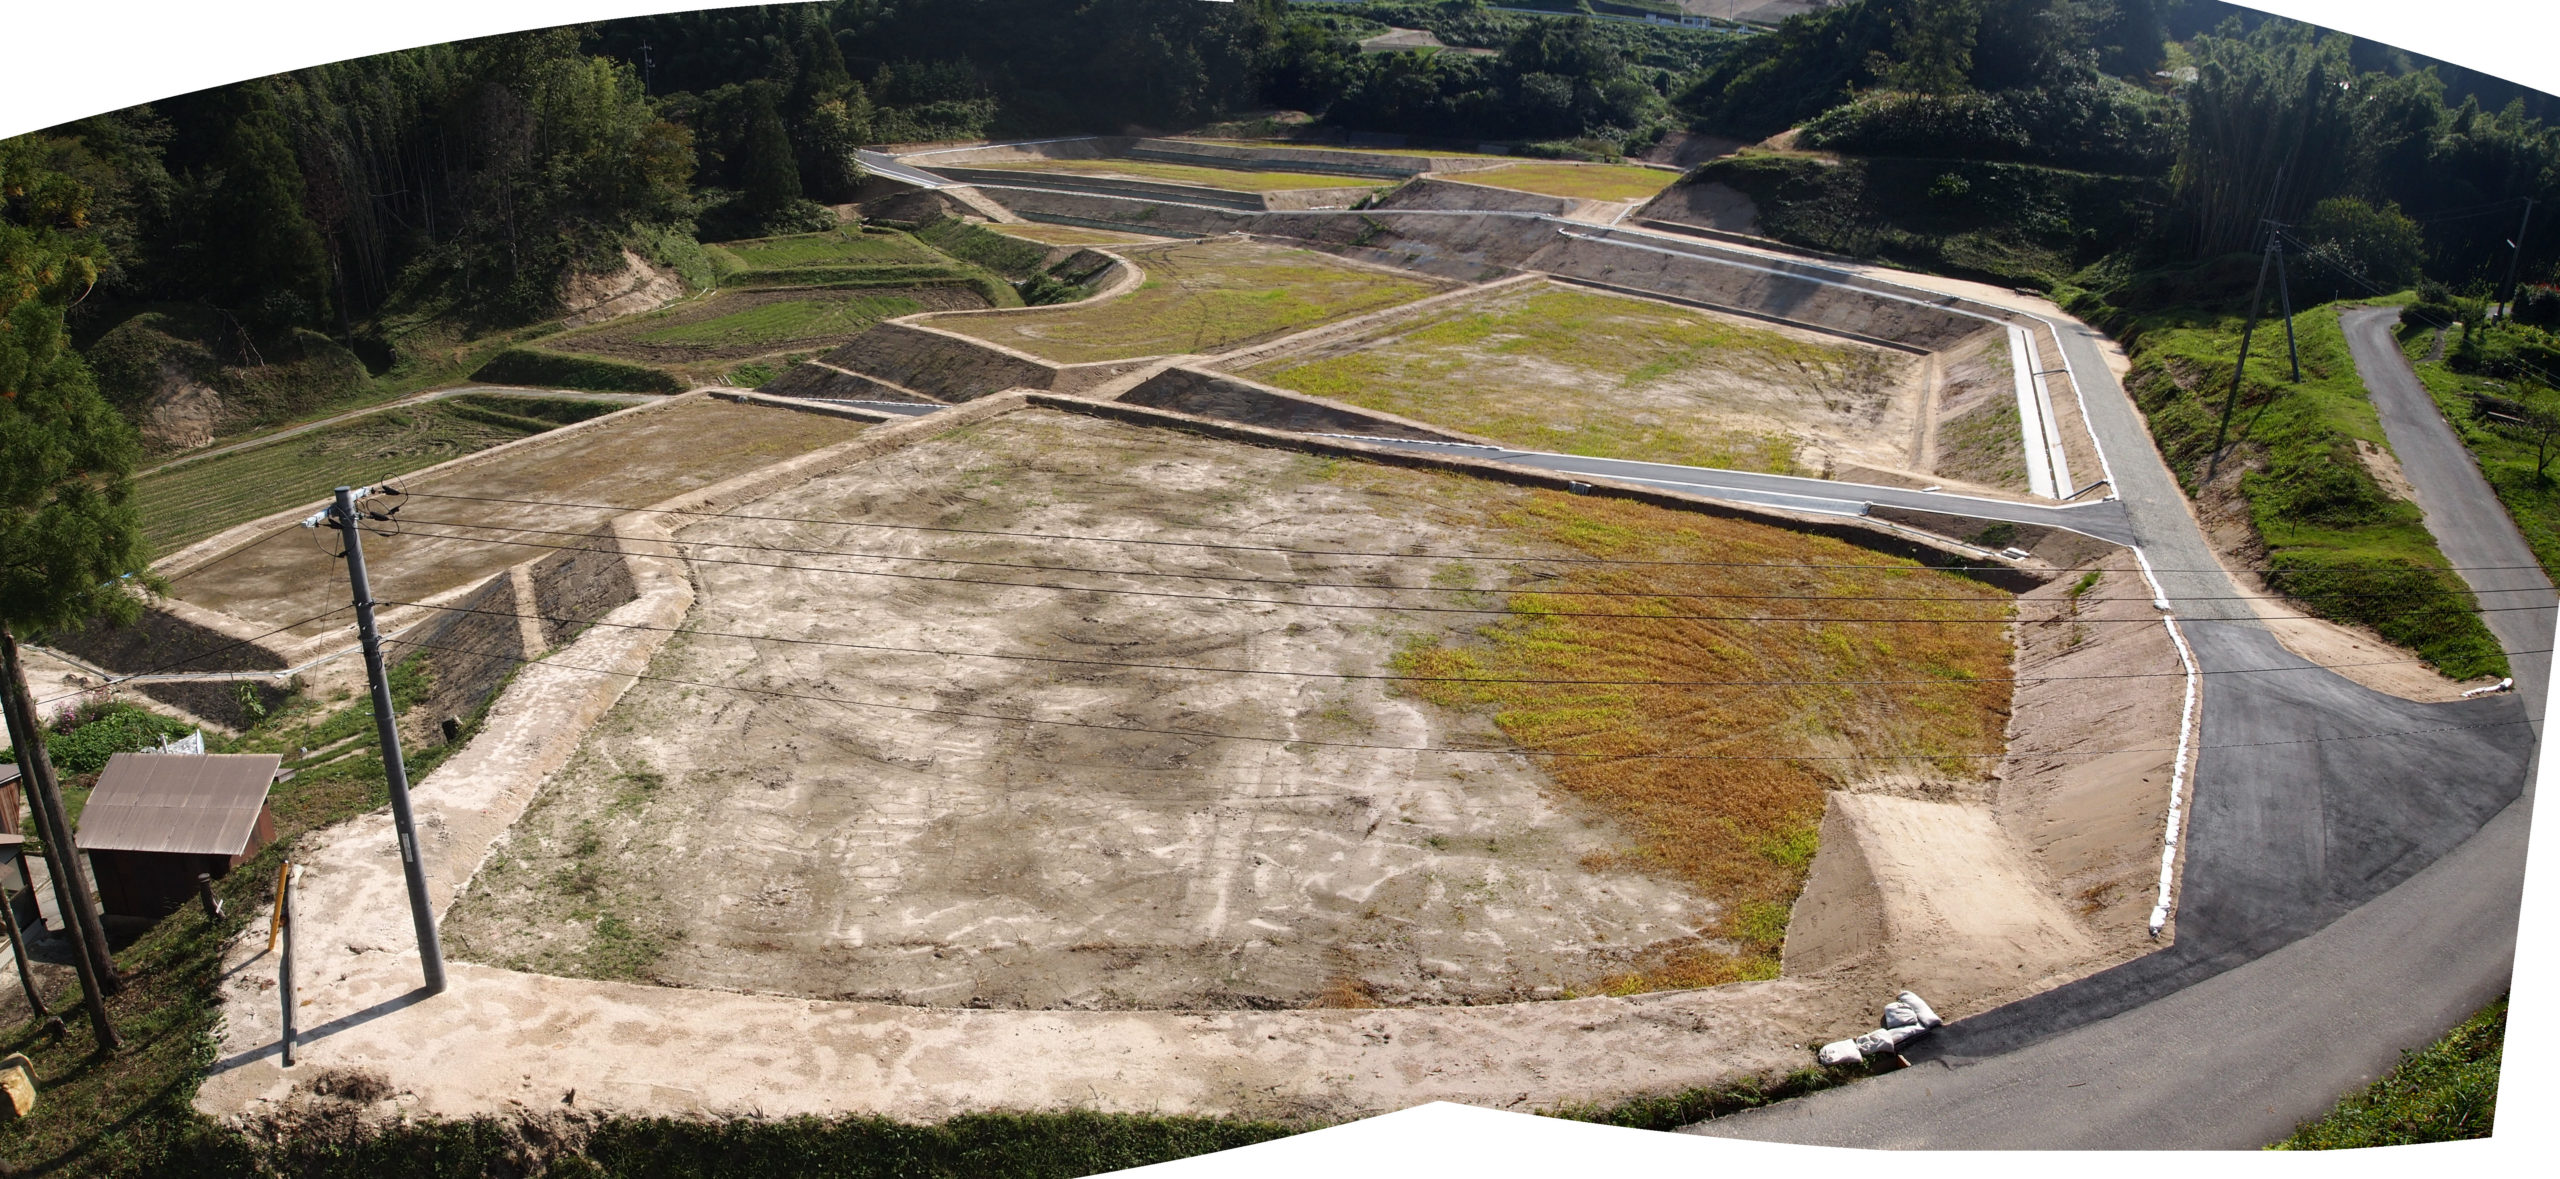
[(160, 820)]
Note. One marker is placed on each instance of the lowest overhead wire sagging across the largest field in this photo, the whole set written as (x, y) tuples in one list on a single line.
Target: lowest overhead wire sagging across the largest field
[(1427, 748)]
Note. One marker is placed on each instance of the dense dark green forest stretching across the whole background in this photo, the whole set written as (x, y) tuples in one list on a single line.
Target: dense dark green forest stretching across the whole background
[(296, 237)]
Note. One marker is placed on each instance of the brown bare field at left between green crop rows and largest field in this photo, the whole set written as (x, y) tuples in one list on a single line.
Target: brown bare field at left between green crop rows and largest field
[(447, 543)]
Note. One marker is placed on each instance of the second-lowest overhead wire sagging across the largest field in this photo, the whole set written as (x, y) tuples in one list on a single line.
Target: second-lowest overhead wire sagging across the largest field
[(1384, 676)]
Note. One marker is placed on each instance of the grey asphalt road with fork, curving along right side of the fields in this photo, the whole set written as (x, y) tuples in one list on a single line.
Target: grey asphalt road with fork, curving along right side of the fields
[(2344, 896)]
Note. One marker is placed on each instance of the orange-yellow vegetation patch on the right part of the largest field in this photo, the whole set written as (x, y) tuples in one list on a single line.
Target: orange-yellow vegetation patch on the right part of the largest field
[(1647, 751)]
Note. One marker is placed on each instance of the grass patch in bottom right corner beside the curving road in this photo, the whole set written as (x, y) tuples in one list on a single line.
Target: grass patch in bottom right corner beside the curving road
[(2436, 1096)]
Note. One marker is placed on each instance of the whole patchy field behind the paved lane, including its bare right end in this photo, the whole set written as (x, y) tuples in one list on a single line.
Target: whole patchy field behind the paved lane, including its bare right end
[(1550, 367)]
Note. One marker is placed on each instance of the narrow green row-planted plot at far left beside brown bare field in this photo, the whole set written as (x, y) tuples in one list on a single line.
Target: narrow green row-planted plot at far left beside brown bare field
[(191, 503)]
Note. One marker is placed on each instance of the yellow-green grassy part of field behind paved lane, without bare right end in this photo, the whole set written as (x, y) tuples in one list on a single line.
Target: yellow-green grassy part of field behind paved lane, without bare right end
[(1571, 372)]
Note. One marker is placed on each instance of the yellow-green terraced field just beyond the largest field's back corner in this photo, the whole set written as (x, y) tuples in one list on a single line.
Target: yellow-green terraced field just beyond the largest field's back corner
[(1199, 298)]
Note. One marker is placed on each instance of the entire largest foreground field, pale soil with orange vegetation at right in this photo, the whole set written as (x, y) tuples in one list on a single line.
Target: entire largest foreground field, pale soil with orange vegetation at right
[(1156, 776)]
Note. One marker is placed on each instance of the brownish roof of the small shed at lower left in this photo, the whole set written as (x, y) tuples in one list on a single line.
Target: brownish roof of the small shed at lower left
[(193, 804)]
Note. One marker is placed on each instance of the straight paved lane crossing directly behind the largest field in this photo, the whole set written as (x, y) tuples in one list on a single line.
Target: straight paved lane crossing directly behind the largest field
[(2103, 520)]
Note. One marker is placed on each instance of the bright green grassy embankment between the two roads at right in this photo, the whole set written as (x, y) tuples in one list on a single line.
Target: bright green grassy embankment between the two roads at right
[(2336, 538)]
